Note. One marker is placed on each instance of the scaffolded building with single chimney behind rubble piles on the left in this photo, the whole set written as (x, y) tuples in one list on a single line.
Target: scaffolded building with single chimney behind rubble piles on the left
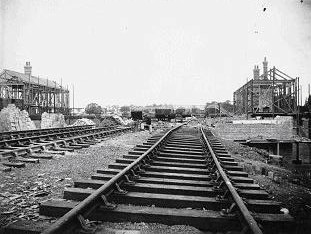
[(33, 94)]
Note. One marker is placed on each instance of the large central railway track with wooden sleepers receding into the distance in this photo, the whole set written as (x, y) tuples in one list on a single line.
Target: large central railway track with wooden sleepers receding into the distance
[(184, 176)]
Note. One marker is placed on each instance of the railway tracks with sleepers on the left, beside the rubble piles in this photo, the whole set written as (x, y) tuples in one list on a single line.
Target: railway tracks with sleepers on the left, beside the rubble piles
[(21, 147)]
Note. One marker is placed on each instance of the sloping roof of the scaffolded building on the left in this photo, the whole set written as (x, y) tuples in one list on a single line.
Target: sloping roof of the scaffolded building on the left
[(8, 74)]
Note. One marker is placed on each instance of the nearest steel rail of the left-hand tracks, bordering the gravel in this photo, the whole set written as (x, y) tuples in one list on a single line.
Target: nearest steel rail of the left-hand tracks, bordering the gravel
[(58, 141)]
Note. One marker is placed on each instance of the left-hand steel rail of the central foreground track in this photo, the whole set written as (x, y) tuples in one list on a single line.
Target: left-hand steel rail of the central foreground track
[(89, 203)]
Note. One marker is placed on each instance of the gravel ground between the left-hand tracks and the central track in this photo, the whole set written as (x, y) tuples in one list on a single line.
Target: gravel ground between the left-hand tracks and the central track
[(23, 189)]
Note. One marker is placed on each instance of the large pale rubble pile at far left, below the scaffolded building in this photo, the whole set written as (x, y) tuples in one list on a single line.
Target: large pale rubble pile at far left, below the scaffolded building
[(13, 119)]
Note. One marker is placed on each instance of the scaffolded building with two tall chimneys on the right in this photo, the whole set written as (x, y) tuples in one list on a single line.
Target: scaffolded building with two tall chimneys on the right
[(272, 93)]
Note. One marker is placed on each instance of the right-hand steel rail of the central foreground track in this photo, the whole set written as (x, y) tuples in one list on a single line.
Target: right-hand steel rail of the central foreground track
[(247, 217)]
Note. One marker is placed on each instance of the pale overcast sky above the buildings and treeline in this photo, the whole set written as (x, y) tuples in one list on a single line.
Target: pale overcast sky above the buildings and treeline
[(143, 52)]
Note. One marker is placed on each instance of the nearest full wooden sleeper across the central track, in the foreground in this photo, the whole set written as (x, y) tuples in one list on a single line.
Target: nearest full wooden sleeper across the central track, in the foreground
[(205, 220)]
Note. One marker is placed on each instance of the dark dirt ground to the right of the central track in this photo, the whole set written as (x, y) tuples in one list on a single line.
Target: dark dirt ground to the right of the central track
[(291, 184)]
